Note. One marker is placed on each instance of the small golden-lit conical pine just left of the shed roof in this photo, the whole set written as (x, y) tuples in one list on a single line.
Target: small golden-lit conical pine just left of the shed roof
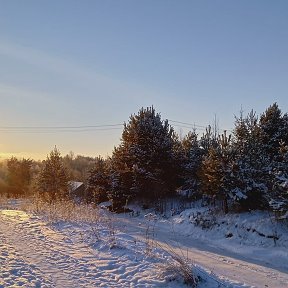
[(53, 180)]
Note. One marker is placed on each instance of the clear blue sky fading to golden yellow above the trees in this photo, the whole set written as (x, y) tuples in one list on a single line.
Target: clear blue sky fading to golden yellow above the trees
[(72, 72)]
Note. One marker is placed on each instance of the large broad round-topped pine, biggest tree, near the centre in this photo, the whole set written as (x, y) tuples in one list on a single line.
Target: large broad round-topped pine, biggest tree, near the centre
[(146, 154)]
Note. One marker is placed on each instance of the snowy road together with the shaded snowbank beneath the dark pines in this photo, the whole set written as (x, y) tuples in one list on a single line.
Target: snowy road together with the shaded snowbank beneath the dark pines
[(249, 247)]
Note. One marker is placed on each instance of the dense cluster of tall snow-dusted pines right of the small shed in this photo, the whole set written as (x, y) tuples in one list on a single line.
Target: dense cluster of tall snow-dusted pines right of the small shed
[(245, 170)]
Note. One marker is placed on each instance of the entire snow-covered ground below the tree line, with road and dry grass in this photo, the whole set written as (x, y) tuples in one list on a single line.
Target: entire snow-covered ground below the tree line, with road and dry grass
[(100, 249)]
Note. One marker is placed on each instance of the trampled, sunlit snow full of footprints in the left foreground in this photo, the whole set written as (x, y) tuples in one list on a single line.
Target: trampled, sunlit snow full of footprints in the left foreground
[(34, 255)]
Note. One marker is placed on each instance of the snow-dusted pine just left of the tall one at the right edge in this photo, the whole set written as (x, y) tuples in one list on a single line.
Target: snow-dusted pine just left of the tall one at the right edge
[(251, 168)]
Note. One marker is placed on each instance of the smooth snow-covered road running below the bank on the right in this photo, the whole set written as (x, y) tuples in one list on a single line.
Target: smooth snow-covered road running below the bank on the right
[(232, 266)]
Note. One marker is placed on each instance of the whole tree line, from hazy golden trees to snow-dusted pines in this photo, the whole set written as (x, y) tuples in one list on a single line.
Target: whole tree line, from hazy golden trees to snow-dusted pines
[(243, 170)]
